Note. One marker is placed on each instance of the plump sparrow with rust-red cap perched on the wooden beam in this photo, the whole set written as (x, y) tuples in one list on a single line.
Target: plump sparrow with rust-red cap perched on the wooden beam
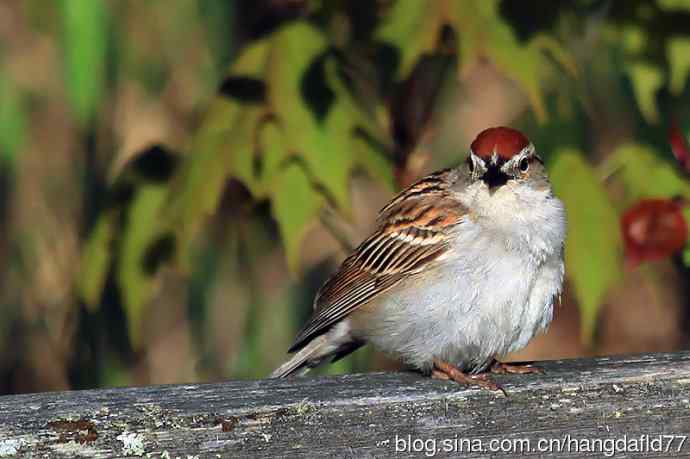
[(464, 267)]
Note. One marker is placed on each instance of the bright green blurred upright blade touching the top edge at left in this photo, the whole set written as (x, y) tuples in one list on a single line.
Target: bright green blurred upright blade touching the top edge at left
[(84, 41)]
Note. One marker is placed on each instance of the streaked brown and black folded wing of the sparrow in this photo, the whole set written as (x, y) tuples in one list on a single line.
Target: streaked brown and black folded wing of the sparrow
[(412, 233)]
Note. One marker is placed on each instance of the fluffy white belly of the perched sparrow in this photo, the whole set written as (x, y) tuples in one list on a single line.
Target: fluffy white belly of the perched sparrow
[(467, 316)]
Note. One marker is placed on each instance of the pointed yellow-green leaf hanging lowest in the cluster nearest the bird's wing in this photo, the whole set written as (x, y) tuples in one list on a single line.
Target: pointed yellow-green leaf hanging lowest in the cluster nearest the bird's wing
[(295, 204)]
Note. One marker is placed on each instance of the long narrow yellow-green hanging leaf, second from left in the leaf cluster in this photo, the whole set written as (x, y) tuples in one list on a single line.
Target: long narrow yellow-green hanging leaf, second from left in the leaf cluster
[(135, 282)]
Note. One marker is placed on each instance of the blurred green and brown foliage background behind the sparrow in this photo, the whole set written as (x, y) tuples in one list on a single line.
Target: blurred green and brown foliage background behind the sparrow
[(178, 177)]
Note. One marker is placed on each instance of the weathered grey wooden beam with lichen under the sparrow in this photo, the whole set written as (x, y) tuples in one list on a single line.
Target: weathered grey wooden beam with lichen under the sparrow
[(583, 404)]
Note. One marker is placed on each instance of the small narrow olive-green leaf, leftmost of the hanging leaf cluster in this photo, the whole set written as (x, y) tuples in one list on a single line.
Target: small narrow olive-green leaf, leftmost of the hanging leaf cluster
[(95, 262)]
